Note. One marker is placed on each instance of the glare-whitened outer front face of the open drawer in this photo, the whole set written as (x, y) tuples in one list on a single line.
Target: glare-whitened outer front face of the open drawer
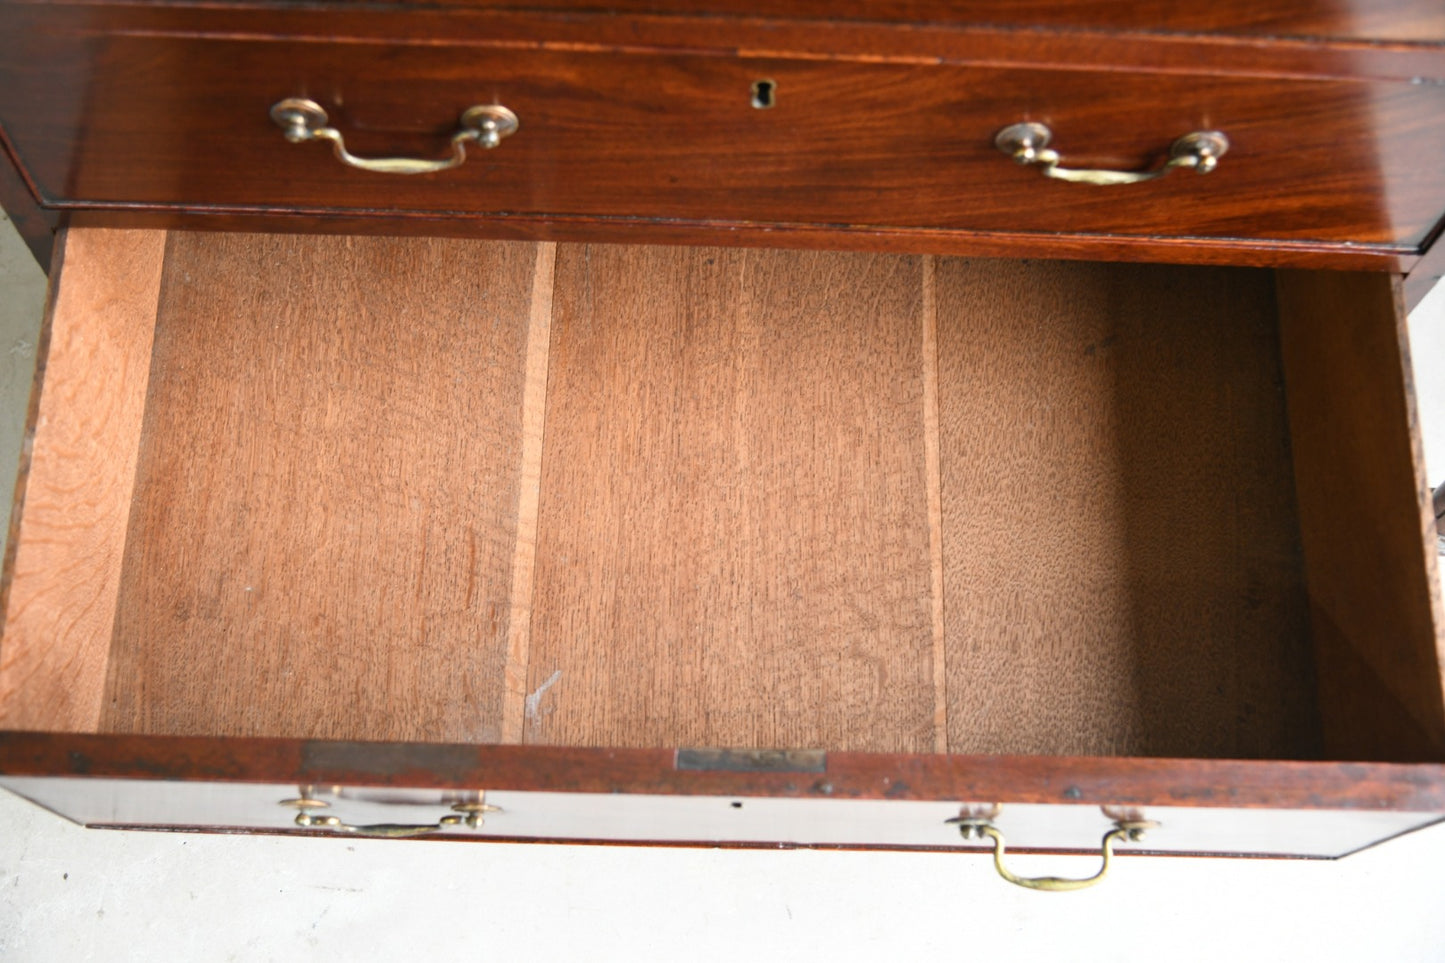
[(703, 821)]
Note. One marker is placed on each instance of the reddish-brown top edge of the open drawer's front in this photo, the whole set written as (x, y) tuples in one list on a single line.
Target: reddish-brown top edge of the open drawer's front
[(1099, 782)]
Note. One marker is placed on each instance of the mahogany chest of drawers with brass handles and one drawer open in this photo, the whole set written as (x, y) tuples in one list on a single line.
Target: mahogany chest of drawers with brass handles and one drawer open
[(674, 423)]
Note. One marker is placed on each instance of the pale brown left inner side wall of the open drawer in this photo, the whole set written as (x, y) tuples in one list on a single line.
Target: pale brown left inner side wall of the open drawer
[(70, 528)]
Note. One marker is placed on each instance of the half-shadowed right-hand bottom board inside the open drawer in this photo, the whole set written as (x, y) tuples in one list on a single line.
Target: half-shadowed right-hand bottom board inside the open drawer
[(1122, 562)]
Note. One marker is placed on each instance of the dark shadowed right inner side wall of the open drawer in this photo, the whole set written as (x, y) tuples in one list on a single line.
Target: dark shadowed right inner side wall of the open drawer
[(1366, 515)]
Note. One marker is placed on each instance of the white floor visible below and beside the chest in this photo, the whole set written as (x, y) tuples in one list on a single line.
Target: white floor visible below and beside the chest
[(74, 894)]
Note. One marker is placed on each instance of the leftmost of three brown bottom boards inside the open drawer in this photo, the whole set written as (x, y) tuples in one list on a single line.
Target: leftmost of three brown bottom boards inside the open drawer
[(327, 495)]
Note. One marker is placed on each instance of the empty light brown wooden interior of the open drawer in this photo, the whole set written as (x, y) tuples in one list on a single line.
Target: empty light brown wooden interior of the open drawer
[(450, 491)]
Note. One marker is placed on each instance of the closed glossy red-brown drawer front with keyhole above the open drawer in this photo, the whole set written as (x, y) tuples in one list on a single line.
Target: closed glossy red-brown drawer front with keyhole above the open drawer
[(168, 124)]
